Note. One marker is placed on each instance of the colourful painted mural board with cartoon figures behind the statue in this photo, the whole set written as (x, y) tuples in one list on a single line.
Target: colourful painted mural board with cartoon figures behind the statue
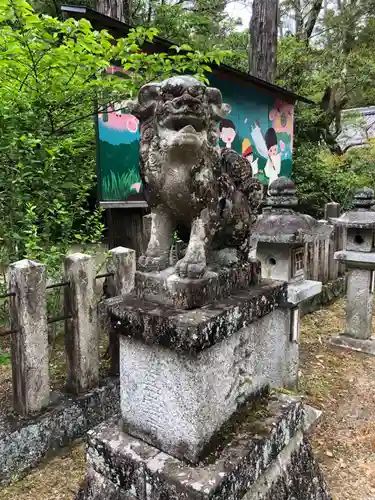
[(259, 127)]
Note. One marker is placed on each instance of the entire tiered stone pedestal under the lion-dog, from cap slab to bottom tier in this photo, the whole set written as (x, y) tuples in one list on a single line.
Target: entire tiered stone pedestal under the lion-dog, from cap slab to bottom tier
[(197, 418)]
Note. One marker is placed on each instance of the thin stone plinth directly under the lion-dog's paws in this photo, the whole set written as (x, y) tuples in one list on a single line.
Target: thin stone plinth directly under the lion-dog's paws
[(166, 287)]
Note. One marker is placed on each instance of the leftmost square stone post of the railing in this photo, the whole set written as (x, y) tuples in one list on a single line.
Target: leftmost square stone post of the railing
[(27, 279)]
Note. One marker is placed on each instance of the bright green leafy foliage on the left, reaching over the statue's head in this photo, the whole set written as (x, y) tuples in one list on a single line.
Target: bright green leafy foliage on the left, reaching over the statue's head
[(52, 83)]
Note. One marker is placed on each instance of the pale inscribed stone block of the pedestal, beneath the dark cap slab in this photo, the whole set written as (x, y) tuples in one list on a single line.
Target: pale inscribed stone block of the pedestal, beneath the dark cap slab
[(177, 401)]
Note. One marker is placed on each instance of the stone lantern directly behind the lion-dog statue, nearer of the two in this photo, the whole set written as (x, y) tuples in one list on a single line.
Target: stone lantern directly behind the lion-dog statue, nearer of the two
[(280, 236)]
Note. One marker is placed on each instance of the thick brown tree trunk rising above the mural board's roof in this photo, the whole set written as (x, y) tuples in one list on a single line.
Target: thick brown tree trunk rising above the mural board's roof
[(263, 36)]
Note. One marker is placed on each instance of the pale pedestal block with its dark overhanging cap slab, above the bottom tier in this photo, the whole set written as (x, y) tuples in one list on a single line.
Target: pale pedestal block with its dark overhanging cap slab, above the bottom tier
[(186, 372)]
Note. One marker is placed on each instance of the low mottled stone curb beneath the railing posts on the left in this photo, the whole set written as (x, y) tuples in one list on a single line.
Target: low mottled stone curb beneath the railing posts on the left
[(25, 442)]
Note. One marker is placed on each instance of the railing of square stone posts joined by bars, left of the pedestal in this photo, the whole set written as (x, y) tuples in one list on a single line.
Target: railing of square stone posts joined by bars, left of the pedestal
[(29, 323)]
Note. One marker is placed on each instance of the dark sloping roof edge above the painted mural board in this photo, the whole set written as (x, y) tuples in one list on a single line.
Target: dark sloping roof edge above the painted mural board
[(110, 22)]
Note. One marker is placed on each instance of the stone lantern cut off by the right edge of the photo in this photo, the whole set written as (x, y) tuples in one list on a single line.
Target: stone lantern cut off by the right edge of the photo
[(359, 257)]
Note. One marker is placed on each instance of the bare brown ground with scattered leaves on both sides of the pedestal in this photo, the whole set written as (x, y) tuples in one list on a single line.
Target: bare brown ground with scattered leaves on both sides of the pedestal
[(341, 384)]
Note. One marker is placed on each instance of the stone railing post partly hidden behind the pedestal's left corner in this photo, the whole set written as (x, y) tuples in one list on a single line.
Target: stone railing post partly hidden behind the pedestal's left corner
[(122, 263)]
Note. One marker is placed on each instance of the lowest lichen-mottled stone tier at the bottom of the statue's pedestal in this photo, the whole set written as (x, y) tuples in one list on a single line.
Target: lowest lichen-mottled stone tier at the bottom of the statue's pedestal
[(261, 456)]
